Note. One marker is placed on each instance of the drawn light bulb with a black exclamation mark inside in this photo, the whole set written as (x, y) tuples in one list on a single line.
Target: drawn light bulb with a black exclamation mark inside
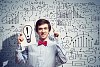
[(27, 30)]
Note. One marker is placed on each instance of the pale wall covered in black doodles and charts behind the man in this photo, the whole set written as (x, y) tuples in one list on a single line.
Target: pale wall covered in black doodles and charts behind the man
[(78, 22)]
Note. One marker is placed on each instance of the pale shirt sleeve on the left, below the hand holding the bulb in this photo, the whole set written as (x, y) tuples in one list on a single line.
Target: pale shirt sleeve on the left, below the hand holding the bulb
[(21, 54)]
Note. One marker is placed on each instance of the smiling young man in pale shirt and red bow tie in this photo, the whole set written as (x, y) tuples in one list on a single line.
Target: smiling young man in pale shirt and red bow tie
[(45, 53)]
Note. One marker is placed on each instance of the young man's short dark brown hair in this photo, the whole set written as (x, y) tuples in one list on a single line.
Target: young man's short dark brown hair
[(40, 22)]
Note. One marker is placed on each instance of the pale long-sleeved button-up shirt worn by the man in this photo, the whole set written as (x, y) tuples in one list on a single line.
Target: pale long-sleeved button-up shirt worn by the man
[(51, 55)]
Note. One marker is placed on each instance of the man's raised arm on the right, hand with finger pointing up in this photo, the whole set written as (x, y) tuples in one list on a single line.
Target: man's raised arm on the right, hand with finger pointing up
[(61, 53)]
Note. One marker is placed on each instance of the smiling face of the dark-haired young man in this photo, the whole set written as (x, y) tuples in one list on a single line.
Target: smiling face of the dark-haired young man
[(43, 31)]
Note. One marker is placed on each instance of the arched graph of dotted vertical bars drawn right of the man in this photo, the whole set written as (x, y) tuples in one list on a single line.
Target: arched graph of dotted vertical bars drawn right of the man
[(82, 40)]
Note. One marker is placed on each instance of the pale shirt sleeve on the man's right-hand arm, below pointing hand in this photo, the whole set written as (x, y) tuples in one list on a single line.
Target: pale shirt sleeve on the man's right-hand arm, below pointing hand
[(61, 53)]
